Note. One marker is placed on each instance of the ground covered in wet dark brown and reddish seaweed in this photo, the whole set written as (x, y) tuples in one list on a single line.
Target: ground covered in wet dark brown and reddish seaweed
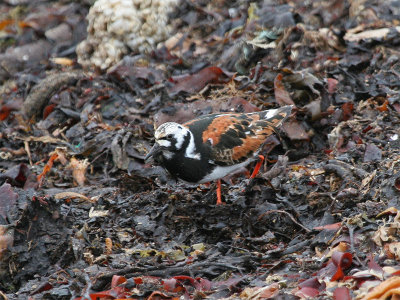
[(82, 215)]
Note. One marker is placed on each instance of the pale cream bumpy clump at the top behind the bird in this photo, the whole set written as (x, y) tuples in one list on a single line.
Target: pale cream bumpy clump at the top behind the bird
[(116, 27)]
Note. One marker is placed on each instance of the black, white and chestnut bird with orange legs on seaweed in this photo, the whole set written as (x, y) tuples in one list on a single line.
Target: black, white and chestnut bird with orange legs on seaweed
[(213, 146)]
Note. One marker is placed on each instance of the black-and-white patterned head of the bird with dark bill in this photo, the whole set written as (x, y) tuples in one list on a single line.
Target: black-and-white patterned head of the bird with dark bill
[(169, 139)]
